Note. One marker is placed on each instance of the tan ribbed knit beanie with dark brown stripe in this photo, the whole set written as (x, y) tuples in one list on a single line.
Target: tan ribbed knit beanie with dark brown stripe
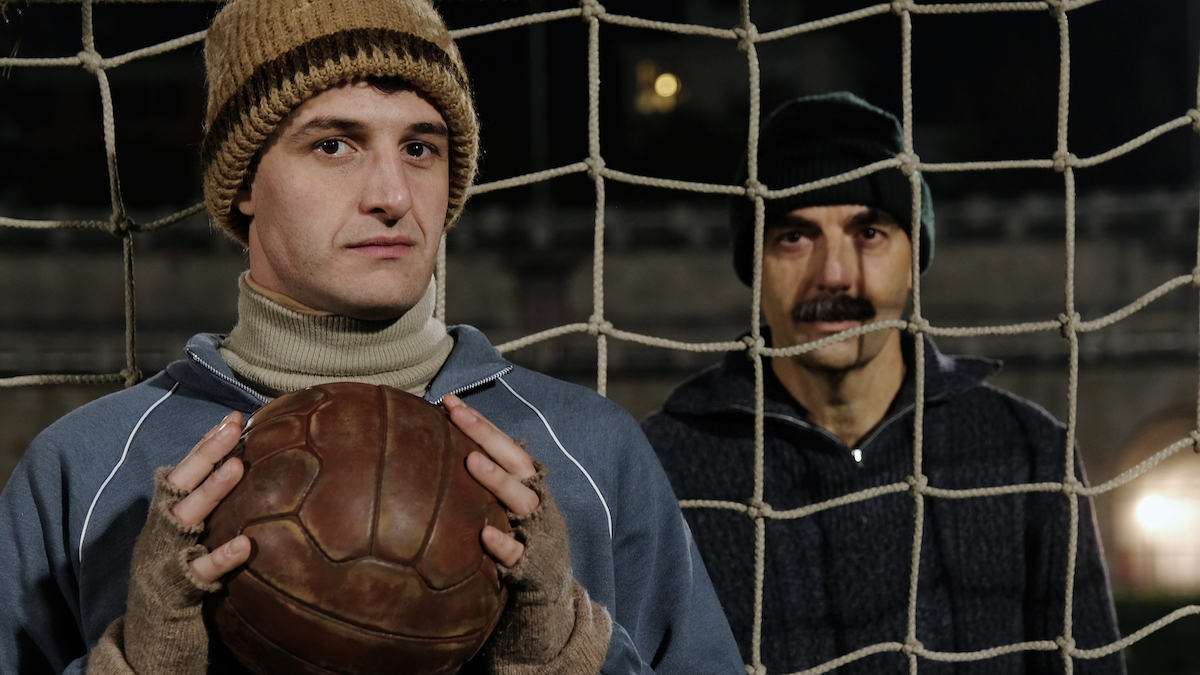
[(267, 57)]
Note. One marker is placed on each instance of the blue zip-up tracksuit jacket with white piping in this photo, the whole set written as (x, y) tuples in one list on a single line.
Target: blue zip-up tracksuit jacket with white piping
[(77, 501)]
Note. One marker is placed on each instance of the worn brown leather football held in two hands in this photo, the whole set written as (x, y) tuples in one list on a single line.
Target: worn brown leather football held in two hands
[(365, 525)]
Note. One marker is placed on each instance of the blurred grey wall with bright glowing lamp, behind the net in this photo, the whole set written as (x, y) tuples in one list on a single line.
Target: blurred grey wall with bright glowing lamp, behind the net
[(668, 274)]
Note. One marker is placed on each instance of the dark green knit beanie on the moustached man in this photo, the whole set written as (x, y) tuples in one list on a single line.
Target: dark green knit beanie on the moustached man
[(817, 138)]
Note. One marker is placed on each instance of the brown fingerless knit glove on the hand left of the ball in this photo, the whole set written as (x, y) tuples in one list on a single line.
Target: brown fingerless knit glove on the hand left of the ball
[(163, 631)]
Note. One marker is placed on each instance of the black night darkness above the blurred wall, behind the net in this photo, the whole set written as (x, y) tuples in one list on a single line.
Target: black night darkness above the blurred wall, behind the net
[(986, 87)]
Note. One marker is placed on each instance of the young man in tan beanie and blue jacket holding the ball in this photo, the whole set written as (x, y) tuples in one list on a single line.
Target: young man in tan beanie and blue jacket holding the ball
[(341, 141)]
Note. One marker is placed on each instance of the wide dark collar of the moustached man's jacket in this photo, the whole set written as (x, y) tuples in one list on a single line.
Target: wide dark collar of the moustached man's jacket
[(729, 386)]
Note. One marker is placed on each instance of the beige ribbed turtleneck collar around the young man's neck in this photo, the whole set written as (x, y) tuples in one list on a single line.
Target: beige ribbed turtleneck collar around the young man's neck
[(280, 348)]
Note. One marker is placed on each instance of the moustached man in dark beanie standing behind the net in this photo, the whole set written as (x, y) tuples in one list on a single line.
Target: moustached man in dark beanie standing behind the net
[(841, 420)]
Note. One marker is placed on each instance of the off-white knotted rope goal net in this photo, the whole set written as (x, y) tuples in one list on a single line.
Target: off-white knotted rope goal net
[(1070, 322)]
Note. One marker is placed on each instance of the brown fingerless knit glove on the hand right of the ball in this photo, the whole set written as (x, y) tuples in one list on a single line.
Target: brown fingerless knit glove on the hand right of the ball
[(550, 625)]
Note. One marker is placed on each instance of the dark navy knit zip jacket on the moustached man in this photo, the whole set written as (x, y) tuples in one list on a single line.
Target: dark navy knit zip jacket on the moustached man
[(993, 570)]
